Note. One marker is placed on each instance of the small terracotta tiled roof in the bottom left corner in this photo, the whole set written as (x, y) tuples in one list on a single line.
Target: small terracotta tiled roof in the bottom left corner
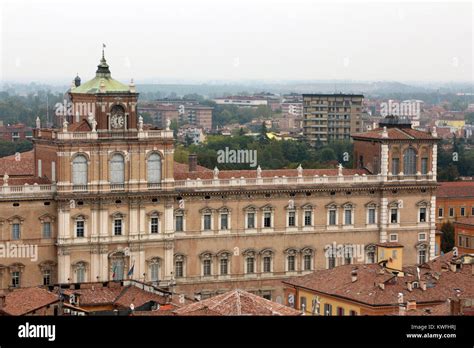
[(25, 300)]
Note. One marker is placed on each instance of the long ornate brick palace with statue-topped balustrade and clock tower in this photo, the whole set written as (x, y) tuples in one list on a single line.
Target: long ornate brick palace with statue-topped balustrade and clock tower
[(102, 199)]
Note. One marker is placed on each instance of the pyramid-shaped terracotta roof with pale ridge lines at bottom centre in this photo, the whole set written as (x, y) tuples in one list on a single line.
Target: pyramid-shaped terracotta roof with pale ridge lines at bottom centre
[(236, 302)]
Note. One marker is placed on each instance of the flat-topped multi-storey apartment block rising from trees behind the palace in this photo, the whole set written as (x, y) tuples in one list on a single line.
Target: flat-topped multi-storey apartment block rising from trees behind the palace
[(331, 117)]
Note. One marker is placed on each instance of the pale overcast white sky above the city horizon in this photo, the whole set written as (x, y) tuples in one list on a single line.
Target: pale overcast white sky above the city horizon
[(195, 41)]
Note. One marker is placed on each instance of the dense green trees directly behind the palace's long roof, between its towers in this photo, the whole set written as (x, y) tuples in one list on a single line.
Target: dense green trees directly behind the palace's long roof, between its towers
[(271, 154)]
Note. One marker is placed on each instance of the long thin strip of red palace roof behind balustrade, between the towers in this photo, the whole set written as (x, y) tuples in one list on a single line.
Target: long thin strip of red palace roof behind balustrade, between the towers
[(227, 174)]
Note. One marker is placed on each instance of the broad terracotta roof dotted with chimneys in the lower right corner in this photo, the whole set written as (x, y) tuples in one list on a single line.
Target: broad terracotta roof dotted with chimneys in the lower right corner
[(441, 284)]
